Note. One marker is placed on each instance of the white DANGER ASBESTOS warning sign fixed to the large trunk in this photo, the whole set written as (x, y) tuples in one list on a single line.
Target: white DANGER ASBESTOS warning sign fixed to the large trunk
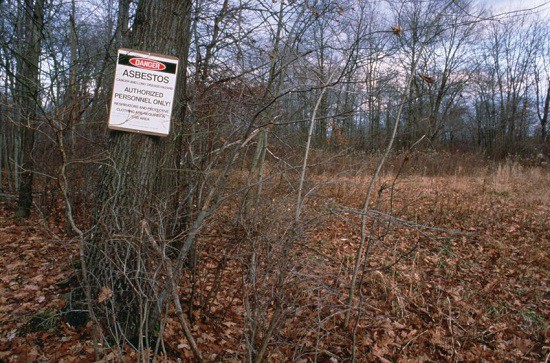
[(143, 92)]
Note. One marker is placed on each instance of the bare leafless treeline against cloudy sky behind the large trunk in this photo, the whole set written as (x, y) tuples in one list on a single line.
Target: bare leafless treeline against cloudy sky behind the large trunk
[(481, 78)]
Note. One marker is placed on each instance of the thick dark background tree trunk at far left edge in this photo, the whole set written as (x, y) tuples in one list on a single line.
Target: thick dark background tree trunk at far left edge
[(28, 87)]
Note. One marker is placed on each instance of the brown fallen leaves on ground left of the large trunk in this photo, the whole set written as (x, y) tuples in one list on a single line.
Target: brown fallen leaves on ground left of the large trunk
[(33, 266)]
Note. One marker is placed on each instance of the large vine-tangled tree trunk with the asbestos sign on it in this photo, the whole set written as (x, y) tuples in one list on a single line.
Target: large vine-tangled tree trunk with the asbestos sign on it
[(136, 190)]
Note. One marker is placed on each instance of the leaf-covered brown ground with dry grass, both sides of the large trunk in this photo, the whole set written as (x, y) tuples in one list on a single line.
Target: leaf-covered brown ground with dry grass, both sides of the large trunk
[(462, 275)]
